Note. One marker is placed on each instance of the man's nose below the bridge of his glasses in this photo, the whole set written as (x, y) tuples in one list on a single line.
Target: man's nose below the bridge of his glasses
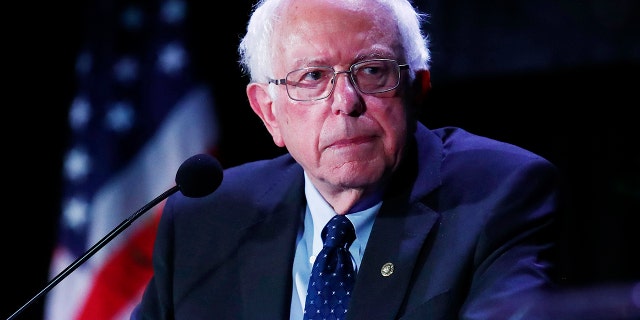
[(346, 98)]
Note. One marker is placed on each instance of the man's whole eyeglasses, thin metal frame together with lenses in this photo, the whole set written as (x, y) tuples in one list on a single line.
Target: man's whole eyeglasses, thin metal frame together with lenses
[(317, 83)]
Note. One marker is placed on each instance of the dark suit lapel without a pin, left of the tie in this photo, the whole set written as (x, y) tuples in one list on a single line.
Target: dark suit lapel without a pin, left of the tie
[(269, 248)]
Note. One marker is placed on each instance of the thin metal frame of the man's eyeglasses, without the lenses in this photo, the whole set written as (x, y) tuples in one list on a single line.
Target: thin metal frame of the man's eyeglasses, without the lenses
[(400, 67)]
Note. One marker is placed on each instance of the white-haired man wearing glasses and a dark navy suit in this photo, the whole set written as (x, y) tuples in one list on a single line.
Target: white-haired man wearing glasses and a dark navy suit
[(448, 225)]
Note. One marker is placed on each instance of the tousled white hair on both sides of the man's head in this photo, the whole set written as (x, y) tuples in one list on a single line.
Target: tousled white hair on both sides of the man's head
[(256, 50)]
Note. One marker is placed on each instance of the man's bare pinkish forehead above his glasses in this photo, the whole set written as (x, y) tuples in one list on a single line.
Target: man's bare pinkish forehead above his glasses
[(334, 31)]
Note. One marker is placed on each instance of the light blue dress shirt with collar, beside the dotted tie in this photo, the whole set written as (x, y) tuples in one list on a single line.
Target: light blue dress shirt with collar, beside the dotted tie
[(309, 242)]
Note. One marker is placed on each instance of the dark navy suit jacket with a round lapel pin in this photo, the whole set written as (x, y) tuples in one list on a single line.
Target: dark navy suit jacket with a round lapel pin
[(466, 225)]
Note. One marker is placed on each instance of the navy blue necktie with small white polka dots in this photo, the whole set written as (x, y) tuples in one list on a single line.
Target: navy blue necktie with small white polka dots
[(332, 276)]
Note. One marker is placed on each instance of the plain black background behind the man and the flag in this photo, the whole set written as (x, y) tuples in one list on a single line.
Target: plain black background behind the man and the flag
[(559, 77)]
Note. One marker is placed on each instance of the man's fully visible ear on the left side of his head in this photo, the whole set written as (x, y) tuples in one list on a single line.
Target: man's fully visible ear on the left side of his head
[(262, 104)]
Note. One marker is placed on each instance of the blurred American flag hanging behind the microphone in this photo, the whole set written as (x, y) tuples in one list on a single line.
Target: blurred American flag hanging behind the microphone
[(137, 115)]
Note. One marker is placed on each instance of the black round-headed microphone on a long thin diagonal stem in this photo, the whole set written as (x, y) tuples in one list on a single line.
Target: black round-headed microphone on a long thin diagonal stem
[(196, 177)]
